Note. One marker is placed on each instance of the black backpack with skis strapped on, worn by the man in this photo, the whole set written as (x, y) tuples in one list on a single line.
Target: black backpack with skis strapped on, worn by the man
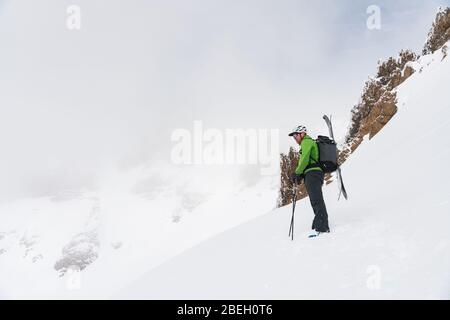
[(328, 157)]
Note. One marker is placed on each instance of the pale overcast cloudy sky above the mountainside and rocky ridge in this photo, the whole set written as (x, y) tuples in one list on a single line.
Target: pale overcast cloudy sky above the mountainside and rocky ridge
[(112, 92)]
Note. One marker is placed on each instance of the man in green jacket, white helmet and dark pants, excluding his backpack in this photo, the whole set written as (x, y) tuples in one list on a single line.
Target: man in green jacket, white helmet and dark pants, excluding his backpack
[(309, 169)]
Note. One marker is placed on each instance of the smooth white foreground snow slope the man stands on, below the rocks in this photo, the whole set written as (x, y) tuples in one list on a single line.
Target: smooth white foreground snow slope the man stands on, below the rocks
[(389, 240)]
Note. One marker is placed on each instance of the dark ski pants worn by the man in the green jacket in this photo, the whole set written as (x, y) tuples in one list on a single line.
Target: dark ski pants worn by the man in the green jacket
[(314, 182)]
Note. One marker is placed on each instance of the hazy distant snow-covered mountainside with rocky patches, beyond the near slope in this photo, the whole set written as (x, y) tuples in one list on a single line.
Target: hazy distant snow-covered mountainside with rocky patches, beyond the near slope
[(133, 222)]
